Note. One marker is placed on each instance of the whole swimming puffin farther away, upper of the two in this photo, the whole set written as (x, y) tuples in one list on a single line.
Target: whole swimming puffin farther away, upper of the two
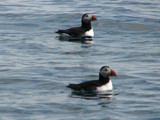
[(85, 30)]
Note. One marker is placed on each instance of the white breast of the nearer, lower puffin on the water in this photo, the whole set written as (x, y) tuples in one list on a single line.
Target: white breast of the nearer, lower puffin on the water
[(107, 87)]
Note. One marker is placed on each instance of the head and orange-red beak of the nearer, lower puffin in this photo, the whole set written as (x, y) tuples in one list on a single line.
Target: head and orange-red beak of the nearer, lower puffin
[(106, 71)]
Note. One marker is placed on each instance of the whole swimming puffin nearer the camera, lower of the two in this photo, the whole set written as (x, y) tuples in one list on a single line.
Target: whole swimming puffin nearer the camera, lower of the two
[(103, 84)]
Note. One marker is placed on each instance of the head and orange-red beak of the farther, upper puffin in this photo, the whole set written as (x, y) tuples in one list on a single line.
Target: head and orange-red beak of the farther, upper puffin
[(88, 18)]
